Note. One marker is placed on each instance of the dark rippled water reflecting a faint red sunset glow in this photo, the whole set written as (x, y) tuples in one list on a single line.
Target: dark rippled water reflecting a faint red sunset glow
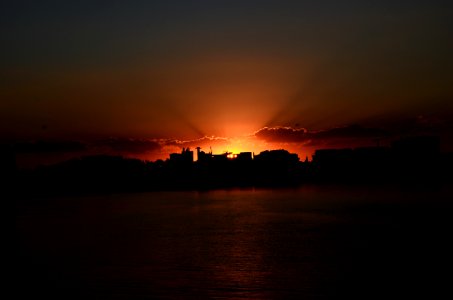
[(308, 243)]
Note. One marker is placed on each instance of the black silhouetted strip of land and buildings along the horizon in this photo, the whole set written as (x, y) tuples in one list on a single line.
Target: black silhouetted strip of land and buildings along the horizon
[(409, 160)]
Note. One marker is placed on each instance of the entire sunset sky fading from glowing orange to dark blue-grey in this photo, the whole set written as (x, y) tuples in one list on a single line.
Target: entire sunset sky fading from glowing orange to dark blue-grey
[(148, 77)]
